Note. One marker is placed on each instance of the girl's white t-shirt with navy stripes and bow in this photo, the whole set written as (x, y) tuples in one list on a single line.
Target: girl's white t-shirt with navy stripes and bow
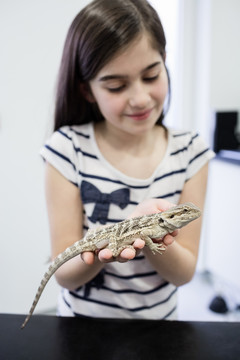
[(133, 289)]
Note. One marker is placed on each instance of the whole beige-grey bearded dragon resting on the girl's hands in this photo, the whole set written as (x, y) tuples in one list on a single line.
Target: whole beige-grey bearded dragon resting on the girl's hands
[(121, 235)]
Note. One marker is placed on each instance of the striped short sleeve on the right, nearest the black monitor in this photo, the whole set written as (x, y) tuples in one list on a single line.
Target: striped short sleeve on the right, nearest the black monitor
[(198, 155)]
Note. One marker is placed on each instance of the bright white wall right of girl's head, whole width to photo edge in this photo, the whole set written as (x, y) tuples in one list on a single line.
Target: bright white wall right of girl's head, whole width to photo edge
[(210, 80)]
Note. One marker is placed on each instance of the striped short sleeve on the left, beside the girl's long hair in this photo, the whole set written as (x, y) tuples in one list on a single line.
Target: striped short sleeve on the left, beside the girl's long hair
[(61, 153)]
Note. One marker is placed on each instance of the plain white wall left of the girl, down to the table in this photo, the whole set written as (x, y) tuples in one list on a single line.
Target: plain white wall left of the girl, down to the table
[(31, 40)]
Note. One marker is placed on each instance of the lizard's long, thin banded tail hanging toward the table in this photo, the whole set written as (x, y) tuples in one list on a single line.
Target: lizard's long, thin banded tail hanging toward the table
[(68, 254)]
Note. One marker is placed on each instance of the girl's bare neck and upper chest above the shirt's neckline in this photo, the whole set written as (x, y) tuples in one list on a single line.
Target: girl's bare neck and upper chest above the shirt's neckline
[(135, 156)]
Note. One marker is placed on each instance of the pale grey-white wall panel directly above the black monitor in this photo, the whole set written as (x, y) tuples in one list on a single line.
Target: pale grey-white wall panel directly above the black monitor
[(225, 51)]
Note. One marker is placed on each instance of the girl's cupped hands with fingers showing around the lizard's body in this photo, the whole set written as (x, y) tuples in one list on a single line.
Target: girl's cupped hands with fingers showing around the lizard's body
[(146, 207)]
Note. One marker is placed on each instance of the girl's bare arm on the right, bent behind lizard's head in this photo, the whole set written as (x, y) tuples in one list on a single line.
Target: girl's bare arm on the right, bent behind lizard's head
[(177, 265)]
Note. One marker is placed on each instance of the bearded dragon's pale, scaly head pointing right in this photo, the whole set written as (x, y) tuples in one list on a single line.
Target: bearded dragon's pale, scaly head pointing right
[(181, 215)]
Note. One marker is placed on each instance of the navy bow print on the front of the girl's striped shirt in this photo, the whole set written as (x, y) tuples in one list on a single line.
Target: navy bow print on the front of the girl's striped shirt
[(91, 194)]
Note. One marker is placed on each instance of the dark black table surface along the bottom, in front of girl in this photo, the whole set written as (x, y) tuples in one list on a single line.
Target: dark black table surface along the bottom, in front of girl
[(49, 337)]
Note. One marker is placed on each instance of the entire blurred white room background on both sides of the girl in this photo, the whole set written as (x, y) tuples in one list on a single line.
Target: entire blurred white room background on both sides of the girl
[(203, 57)]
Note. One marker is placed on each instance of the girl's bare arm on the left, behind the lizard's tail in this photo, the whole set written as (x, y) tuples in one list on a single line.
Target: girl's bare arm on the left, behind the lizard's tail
[(65, 219)]
